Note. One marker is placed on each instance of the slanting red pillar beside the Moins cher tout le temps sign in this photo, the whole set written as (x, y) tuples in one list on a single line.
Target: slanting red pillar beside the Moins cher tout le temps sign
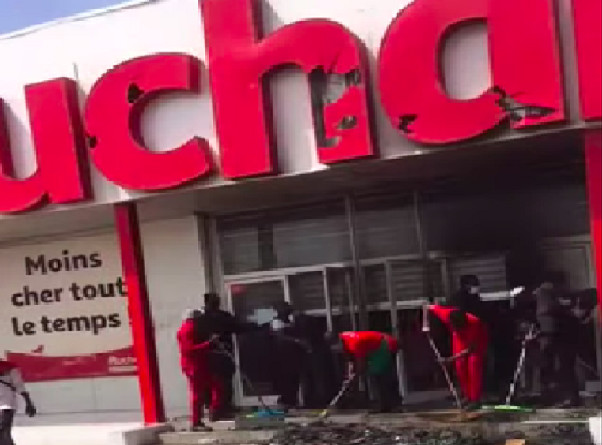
[(132, 261)]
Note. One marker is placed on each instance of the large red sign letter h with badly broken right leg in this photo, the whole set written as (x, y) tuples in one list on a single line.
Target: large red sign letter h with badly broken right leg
[(238, 64)]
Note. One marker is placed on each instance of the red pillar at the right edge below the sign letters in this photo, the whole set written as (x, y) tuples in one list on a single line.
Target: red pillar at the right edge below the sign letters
[(593, 163)]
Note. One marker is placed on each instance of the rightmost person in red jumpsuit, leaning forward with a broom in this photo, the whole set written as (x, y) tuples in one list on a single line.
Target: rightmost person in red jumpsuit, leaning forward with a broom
[(469, 348)]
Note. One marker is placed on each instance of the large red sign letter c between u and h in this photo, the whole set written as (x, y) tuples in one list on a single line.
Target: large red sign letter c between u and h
[(113, 112)]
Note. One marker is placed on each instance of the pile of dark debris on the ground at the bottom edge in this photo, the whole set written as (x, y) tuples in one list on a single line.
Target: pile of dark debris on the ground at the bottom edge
[(357, 434)]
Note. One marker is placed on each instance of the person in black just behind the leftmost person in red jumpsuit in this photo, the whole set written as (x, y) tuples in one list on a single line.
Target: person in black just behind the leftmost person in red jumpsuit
[(217, 321)]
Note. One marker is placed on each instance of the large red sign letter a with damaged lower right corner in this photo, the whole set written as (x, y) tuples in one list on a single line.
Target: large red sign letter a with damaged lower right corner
[(524, 60)]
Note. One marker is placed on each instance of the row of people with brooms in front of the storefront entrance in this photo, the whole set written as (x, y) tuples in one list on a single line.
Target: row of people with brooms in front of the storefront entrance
[(480, 341)]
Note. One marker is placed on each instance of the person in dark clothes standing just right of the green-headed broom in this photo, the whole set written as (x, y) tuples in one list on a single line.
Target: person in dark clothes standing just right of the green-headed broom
[(557, 326)]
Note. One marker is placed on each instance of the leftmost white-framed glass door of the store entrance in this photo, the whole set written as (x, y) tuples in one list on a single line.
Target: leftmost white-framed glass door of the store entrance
[(253, 301)]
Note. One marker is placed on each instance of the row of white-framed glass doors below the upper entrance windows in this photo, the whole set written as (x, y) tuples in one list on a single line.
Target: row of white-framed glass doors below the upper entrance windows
[(327, 294)]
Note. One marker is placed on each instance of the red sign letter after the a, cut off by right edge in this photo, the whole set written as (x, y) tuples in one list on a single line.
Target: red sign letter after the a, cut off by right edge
[(588, 29)]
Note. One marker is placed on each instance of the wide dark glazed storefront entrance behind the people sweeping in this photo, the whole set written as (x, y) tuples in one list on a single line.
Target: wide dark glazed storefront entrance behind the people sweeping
[(372, 260)]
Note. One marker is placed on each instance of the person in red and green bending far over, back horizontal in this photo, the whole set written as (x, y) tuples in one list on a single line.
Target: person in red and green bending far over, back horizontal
[(373, 353)]
